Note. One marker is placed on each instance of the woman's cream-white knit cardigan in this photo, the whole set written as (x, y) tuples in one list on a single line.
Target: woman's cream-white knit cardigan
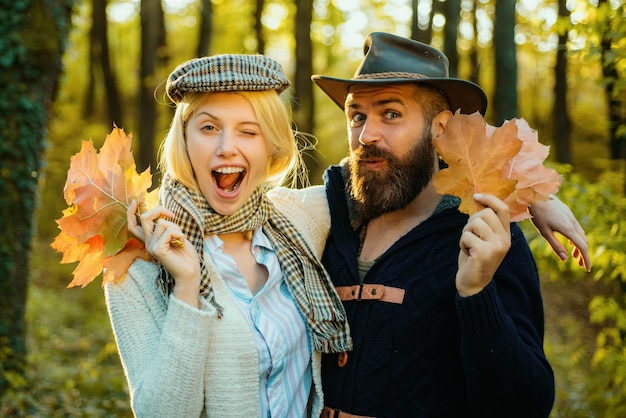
[(181, 361)]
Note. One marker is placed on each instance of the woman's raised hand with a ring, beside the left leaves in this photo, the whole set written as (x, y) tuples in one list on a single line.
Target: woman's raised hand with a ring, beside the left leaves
[(166, 242)]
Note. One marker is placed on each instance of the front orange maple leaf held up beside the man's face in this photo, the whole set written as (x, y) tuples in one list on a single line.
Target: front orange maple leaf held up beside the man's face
[(474, 159)]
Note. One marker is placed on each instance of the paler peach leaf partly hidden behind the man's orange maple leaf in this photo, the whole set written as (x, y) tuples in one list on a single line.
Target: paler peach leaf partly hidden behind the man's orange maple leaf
[(535, 182)]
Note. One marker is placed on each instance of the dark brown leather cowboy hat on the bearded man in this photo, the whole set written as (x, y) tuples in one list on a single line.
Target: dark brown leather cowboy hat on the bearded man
[(394, 59)]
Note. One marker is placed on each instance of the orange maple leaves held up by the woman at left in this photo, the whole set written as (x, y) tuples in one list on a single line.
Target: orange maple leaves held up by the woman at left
[(98, 190)]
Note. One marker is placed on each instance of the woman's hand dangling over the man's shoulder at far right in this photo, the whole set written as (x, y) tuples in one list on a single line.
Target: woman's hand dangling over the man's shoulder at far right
[(555, 216)]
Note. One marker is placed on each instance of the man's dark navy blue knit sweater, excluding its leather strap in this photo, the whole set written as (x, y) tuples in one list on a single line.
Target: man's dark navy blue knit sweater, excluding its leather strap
[(436, 354)]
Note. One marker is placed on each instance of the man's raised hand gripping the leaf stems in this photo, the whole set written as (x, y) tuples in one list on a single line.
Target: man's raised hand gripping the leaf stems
[(485, 240)]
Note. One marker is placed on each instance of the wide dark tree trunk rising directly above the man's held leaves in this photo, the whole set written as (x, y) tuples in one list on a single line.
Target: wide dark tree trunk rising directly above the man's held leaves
[(505, 98)]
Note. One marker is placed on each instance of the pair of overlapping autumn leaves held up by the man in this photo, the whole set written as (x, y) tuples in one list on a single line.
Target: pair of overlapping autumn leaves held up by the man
[(475, 151)]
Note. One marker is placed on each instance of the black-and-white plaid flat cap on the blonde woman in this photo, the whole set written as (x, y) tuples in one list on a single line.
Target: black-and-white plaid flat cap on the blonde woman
[(227, 72)]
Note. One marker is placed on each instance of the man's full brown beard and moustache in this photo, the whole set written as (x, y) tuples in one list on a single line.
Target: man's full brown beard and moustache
[(393, 188)]
